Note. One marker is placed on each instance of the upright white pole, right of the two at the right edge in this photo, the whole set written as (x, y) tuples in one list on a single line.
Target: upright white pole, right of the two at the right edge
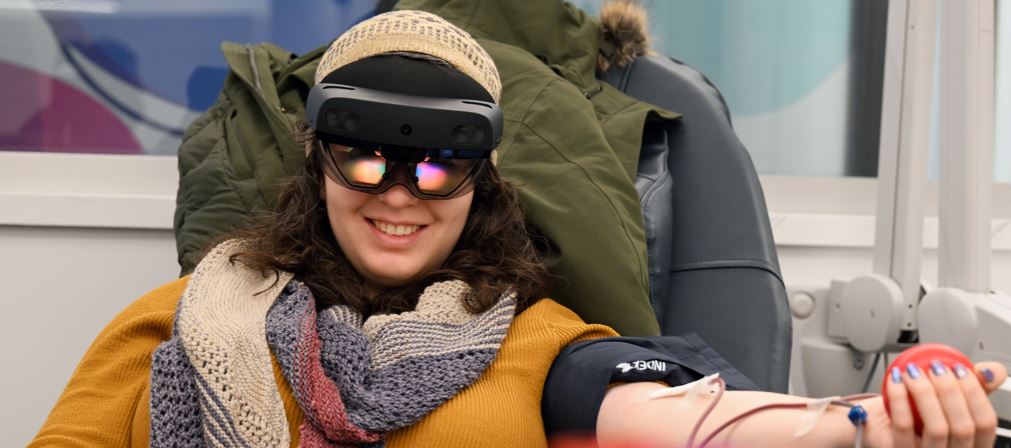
[(967, 144)]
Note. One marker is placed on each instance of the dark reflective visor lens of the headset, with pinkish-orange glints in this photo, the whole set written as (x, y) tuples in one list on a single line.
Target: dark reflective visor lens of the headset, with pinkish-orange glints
[(372, 168)]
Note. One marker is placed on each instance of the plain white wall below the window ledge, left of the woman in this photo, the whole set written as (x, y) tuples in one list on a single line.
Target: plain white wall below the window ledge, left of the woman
[(62, 287)]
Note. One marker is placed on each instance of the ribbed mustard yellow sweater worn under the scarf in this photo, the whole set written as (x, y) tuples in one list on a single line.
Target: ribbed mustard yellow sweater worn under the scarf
[(107, 403)]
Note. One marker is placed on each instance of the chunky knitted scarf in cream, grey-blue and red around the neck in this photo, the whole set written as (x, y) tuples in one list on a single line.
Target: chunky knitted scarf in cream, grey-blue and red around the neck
[(355, 379)]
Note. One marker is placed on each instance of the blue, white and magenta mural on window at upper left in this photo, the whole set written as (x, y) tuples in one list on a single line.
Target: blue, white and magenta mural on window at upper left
[(129, 76)]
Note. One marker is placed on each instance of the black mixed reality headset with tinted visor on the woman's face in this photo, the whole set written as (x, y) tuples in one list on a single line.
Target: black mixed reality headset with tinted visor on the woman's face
[(373, 140)]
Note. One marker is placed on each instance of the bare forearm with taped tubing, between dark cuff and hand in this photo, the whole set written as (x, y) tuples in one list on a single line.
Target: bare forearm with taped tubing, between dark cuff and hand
[(628, 416)]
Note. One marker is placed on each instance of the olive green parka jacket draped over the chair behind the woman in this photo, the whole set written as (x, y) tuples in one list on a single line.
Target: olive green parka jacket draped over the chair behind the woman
[(571, 143)]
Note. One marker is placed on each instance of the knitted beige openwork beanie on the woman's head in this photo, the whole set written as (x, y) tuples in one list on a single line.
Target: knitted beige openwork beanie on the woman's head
[(416, 32)]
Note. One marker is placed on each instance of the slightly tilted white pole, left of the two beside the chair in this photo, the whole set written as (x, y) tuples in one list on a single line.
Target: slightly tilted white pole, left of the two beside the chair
[(904, 146)]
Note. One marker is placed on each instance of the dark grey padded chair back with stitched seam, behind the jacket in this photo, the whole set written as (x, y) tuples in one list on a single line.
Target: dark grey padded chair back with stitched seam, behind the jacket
[(713, 267)]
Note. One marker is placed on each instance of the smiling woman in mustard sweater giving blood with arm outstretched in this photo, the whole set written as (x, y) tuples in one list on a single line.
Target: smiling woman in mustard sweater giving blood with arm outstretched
[(384, 304)]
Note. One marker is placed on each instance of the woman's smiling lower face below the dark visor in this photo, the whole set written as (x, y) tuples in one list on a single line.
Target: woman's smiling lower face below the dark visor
[(395, 238)]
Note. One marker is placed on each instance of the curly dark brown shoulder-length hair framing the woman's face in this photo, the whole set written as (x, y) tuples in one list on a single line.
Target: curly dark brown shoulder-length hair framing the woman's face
[(496, 252)]
